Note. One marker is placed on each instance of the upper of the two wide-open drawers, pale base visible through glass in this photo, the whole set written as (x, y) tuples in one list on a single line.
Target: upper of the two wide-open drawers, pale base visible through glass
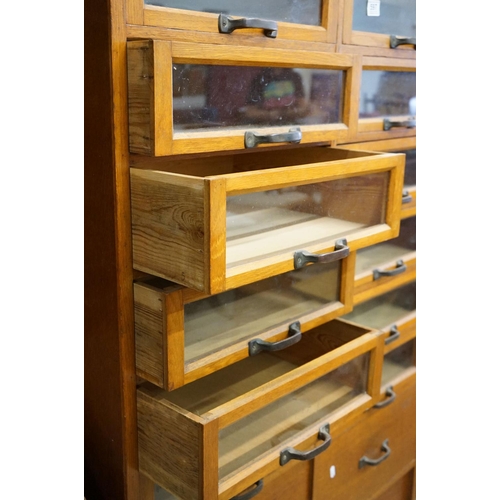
[(235, 219)]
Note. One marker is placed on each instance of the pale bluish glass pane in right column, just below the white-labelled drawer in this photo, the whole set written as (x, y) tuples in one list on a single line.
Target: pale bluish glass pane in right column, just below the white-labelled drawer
[(387, 93)]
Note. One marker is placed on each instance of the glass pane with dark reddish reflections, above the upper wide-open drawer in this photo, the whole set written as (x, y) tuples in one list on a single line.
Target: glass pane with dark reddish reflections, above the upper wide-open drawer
[(207, 96)]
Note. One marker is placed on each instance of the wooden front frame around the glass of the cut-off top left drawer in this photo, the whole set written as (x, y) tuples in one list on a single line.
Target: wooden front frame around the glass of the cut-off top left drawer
[(195, 21)]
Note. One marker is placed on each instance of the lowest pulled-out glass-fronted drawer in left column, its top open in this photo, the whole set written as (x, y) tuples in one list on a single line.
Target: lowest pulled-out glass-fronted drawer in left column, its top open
[(221, 434)]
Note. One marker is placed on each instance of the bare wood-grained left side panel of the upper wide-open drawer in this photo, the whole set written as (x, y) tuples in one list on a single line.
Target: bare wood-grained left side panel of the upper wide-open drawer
[(168, 227)]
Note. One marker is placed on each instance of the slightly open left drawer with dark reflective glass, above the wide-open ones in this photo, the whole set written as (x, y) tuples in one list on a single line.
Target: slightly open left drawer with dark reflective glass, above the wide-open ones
[(195, 98)]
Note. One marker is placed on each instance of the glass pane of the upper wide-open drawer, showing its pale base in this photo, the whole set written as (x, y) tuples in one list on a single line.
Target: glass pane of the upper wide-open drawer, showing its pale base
[(268, 223)]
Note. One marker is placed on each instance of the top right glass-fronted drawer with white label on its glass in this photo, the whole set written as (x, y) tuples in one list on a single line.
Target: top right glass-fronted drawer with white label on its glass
[(387, 27)]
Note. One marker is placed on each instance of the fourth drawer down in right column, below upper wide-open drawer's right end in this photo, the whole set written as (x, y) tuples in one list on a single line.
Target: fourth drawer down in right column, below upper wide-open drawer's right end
[(387, 265)]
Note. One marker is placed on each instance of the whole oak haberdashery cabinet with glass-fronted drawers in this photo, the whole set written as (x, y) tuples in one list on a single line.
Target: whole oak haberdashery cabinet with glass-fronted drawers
[(251, 280)]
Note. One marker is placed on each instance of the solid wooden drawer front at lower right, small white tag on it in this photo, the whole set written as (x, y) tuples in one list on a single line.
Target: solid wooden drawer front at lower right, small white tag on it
[(371, 456)]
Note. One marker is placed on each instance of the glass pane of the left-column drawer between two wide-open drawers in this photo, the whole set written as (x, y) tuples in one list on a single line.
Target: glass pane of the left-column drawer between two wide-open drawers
[(222, 320)]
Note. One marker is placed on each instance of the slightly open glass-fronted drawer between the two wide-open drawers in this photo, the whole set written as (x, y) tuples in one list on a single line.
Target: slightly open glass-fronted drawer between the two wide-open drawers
[(182, 335)]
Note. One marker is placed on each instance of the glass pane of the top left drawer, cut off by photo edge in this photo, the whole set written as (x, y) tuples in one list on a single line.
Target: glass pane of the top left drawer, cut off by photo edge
[(289, 11)]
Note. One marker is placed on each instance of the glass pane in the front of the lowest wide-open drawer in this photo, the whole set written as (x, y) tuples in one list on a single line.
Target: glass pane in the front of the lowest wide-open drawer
[(254, 435)]
